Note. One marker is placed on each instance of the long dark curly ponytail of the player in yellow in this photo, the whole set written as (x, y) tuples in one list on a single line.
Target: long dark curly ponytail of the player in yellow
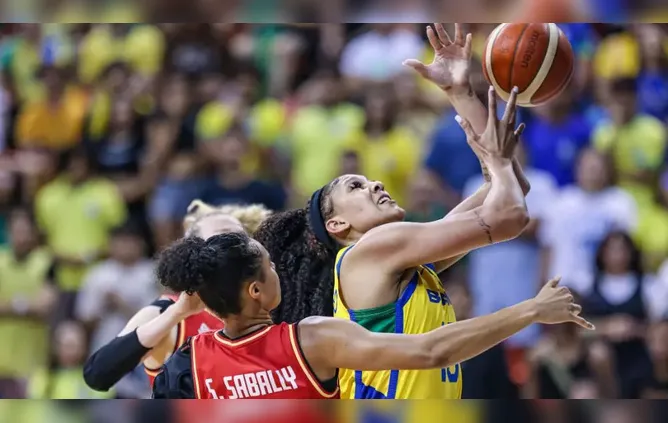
[(304, 264)]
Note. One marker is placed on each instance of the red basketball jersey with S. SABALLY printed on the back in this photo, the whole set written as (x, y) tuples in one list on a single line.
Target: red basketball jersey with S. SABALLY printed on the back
[(264, 364)]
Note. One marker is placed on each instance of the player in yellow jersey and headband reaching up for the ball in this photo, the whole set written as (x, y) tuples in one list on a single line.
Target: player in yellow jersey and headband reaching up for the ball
[(350, 243)]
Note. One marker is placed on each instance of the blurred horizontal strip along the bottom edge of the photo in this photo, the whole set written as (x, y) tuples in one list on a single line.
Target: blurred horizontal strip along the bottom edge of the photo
[(135, 411)]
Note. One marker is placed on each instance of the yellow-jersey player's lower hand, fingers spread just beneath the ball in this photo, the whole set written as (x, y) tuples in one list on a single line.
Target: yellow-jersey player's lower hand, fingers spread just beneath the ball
[(500, 137)]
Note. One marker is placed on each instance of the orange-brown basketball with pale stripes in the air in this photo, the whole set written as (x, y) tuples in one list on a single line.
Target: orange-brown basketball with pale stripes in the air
[(537, 58)]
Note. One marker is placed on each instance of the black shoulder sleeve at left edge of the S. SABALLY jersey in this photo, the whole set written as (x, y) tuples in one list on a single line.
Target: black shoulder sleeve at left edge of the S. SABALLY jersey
[(175, 381)]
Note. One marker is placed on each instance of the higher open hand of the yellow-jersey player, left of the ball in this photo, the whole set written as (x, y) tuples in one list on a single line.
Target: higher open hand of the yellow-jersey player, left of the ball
[(451, 66)]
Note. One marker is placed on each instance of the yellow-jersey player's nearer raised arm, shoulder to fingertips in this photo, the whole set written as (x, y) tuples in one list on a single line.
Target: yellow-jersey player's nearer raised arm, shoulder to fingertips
[(502, 215)]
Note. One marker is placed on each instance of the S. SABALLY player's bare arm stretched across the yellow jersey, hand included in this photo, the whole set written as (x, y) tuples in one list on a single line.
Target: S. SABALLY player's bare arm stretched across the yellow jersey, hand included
[(336, 343)]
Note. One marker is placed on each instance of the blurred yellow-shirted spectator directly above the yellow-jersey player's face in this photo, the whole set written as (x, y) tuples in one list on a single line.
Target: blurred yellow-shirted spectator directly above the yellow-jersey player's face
[(387, 151)]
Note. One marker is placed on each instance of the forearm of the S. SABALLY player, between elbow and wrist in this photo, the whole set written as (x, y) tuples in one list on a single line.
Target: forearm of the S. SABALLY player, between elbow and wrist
[(460, 341)]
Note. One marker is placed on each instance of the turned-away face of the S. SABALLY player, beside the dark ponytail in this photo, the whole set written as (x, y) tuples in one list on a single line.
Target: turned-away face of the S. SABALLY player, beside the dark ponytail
[(266, 293)]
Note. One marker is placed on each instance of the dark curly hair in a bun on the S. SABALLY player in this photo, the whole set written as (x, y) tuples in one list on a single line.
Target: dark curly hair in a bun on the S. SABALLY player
[(215, 269)]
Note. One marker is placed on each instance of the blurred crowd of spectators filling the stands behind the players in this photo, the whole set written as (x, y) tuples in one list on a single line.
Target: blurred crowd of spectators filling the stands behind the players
[(107, 132)]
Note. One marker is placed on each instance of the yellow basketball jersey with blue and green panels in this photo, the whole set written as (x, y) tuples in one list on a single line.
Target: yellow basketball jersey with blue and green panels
[(421, 307)]
